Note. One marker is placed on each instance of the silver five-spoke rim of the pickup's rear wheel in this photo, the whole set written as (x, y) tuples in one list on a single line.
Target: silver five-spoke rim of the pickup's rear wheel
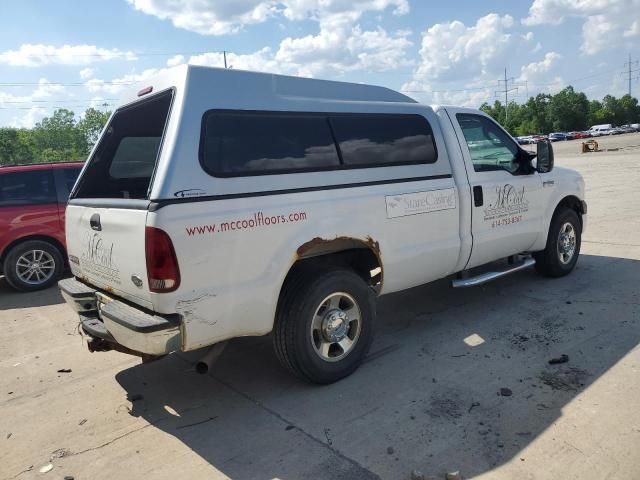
[(336, 326)]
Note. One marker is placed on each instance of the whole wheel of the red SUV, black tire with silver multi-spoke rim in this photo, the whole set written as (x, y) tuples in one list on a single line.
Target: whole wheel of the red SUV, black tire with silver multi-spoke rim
[(33, 265)]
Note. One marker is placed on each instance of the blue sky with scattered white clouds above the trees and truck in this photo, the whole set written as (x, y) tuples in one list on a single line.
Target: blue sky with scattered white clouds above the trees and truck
[(80, 53)]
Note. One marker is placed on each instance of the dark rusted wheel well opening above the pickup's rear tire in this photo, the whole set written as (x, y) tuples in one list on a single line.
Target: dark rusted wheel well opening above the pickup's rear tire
[(362, 256)]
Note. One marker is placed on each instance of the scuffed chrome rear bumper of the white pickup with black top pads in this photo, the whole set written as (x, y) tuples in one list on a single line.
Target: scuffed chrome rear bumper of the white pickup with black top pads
[(118, 323)]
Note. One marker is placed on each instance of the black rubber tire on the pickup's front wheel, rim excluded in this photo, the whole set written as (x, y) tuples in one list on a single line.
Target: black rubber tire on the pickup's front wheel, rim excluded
[(548, 261)]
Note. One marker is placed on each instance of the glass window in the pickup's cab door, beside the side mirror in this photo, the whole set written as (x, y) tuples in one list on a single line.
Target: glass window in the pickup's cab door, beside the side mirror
[(490, 147)]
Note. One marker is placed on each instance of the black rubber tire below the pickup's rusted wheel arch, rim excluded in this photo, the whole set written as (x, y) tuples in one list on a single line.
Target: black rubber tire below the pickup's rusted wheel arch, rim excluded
[(301, 298)]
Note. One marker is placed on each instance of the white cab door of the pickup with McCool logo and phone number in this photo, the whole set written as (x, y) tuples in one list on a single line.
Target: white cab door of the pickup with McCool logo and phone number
[(507, 193)]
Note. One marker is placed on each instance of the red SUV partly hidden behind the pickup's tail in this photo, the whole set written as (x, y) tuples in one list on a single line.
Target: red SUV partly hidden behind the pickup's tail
[(32, 204)]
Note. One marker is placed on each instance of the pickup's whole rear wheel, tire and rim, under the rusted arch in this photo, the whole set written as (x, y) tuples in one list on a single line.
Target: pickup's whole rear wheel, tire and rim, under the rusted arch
[(324, 324)]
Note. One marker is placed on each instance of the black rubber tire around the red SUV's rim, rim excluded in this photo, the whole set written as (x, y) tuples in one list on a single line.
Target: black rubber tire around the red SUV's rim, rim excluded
[(50, 253)]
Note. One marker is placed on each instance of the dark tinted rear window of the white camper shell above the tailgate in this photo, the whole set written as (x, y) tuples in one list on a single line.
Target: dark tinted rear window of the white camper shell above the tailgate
[(123, 163)]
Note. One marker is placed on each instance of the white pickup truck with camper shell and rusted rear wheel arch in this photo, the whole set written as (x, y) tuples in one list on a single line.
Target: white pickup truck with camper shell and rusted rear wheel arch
[(220, 203)]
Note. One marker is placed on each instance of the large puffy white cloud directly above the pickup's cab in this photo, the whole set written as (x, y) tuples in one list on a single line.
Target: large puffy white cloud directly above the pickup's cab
[(461, 64)]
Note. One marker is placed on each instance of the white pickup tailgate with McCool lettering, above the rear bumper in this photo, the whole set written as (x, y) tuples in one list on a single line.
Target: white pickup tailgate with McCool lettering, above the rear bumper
[(106, 248)]
